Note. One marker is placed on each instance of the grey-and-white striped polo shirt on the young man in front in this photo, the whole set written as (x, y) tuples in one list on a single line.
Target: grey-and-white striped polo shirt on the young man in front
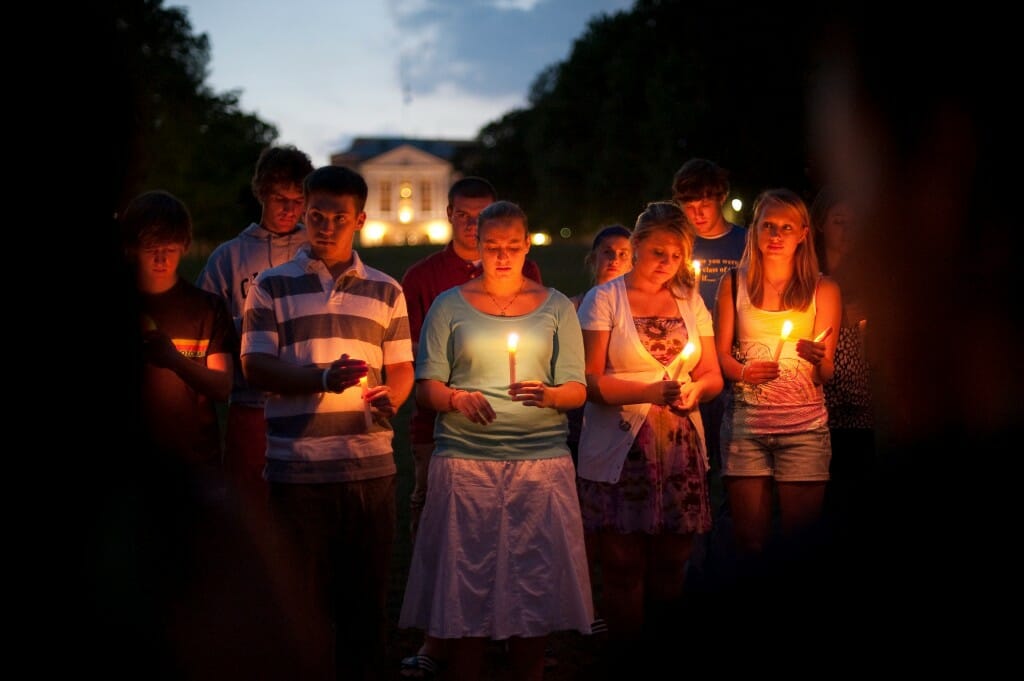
[(296, 312)]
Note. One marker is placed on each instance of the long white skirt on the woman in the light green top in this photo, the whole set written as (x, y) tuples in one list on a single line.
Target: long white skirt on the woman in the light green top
[(499, 551)]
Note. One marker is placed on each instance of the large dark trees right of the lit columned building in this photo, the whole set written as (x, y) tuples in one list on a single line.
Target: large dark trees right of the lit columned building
[(643, 92)]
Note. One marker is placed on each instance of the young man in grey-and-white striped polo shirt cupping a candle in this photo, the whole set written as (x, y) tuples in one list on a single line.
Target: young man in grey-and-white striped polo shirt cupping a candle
[(314, 329)]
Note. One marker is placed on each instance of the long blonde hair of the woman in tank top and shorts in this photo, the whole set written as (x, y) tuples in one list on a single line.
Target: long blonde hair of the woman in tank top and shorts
[(800, 291)]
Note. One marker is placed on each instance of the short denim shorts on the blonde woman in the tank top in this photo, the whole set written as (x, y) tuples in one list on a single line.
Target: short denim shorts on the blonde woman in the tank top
[(800, 457)]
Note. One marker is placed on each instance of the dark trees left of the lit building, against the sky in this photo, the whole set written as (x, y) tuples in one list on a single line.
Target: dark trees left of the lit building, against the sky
[(174, 133)]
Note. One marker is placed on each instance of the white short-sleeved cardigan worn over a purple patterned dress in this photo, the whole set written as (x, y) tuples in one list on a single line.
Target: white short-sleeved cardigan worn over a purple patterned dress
[(609, 431)]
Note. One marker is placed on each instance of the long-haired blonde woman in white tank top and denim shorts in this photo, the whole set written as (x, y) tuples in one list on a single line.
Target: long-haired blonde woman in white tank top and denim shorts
[(776, 435)]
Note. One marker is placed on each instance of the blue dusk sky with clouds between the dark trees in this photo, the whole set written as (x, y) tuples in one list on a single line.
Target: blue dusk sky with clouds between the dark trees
[(325, 72)]
